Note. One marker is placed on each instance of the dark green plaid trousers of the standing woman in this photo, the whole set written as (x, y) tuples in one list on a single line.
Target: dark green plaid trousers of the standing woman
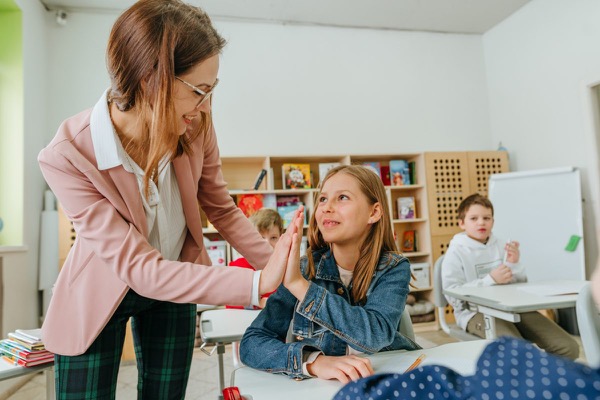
[(163, 334)]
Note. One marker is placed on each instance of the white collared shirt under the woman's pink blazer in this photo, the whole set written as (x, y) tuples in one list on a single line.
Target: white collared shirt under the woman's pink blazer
[(164, 213)]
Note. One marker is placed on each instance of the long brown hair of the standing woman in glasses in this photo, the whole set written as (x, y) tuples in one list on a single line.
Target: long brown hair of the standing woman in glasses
[(150, 43)]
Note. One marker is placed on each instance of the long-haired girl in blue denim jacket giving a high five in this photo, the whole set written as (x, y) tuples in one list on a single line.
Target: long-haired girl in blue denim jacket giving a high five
[(346, 297)]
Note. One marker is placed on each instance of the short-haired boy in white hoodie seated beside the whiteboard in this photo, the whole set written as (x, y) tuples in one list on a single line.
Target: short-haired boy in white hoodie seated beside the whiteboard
[(475, 257)]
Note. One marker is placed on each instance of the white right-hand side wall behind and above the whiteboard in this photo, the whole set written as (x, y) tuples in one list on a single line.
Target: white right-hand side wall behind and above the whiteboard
[(538, 64)]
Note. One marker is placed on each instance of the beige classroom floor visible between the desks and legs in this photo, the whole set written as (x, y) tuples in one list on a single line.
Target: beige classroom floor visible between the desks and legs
[(203, 383)]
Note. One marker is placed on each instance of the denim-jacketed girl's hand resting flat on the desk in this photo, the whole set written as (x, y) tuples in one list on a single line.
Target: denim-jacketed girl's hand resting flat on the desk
[(342, 368)]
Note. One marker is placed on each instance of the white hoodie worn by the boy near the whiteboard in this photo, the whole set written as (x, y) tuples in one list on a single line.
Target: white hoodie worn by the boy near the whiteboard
[(468, 262)]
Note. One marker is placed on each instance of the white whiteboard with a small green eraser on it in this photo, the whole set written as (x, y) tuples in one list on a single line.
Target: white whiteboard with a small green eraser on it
[(541, 209)]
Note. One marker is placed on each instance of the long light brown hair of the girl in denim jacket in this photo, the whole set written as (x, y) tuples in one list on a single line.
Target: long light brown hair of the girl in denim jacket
[(380, 238)]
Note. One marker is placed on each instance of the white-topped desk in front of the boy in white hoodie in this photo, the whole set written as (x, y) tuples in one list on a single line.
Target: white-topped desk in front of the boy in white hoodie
[(508, 301)]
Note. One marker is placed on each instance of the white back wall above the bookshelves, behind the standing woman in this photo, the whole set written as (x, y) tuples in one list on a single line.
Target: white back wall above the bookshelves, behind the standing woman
[(307, 90)]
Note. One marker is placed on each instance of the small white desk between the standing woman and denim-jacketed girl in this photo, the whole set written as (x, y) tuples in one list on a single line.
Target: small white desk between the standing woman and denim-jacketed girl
[(221, 327)]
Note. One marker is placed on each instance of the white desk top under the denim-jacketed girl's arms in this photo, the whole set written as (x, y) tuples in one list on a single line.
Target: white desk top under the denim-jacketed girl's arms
[(461, 356)]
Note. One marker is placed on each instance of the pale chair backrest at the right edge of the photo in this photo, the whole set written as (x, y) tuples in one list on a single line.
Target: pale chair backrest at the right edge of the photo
[(588, 319)]
